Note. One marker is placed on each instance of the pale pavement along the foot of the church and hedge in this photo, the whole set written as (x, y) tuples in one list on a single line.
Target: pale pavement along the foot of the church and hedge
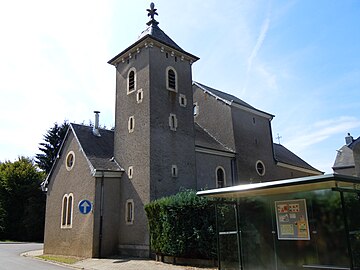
[(119, 264)]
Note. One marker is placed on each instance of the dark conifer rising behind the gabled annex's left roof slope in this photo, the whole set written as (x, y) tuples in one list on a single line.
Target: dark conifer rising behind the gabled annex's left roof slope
[(53, 140)]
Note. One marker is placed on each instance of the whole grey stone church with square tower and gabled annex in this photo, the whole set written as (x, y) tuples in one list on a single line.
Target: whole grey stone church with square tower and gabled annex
[(170, 133)]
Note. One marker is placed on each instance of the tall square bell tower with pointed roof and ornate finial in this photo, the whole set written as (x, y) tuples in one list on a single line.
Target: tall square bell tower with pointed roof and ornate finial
[(154, 138)]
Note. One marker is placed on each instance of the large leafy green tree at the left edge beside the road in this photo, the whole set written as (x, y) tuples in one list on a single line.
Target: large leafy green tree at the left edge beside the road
[(22, 201)]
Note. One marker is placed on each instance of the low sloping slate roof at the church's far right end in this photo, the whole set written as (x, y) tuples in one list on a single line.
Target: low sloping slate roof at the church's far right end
[(282, 154)]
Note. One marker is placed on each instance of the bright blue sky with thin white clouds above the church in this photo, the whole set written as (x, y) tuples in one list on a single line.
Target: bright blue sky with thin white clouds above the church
[(298, 60)]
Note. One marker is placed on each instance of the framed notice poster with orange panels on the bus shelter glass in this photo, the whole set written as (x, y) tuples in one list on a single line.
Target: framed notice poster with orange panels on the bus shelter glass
[(291, 219)]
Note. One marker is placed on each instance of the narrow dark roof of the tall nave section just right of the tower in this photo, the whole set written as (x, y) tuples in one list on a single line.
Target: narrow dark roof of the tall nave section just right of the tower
[(228, 98)]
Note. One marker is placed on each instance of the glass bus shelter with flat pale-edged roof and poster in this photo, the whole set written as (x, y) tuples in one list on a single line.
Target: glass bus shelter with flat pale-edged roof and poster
[(302, 223)]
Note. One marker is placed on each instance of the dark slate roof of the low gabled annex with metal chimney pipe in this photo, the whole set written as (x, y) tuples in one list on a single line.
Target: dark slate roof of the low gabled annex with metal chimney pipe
[(98, 150)]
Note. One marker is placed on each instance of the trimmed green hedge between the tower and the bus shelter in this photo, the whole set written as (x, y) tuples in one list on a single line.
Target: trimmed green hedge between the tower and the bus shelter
[(182, 225)]
